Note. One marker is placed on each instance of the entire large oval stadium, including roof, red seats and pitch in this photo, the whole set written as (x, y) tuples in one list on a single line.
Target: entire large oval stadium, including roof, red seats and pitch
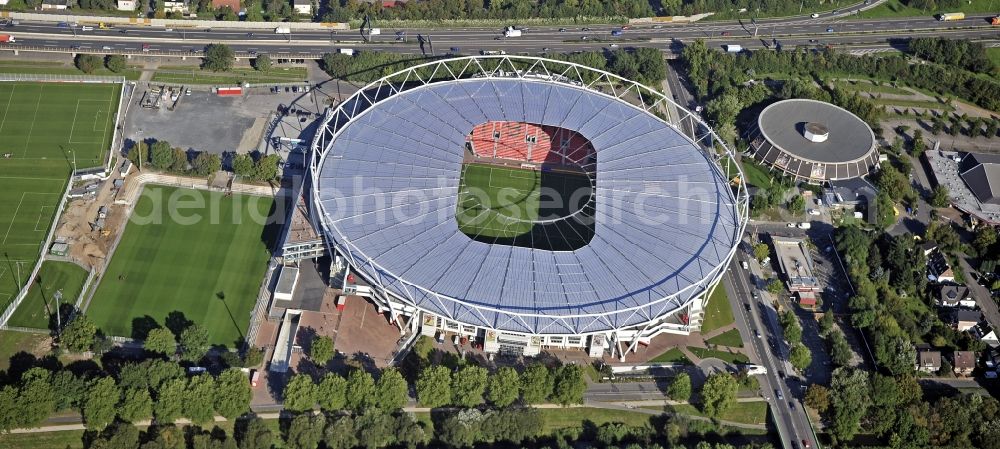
[(525, 204)]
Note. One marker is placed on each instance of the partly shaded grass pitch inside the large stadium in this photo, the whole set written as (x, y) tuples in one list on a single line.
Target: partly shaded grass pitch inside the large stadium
[(522, 207)]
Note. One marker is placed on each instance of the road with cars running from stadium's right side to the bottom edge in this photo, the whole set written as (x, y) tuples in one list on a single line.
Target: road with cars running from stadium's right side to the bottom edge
[(758, 324)]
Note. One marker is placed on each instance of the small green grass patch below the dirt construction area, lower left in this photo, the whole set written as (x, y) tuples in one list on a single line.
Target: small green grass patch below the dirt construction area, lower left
[(39, 306)]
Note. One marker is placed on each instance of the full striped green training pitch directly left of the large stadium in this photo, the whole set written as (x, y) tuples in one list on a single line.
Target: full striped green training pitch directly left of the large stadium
[(209, 269)]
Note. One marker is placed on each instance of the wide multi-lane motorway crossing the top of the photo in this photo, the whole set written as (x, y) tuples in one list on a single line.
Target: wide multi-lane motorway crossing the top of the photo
[(859, 35)]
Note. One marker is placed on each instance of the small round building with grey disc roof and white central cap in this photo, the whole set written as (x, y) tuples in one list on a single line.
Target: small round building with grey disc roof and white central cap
[(813, 141)]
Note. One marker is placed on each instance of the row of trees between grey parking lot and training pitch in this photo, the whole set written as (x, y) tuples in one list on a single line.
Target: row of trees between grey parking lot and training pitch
[(160, 155)]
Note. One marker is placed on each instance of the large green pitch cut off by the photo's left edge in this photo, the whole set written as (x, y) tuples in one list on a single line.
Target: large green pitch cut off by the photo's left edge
[(43, 128)]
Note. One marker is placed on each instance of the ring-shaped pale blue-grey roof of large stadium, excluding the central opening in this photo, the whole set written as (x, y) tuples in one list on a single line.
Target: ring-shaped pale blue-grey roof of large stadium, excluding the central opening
[(386, 177)]
